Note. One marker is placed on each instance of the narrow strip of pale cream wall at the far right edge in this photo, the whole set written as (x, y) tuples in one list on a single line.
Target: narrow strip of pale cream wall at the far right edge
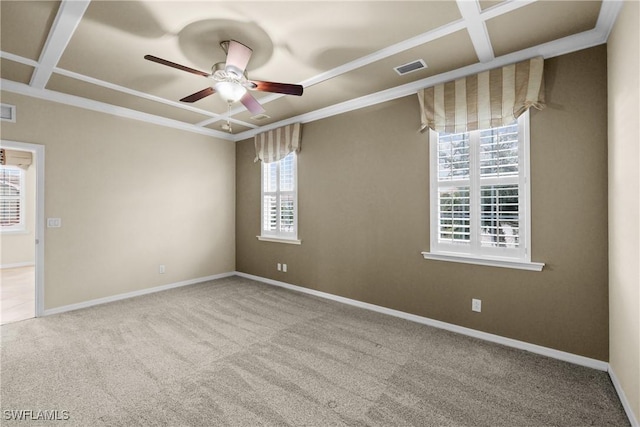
[(624, 193)]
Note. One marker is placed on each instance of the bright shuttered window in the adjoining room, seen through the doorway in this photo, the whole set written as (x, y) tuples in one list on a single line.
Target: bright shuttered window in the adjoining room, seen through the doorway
[(11, 199)]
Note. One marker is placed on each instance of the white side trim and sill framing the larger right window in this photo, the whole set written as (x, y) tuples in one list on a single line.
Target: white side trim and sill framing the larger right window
[(450, 253)]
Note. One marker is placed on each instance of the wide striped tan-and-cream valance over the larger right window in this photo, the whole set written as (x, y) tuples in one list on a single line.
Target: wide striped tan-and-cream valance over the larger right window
[(485, 100)]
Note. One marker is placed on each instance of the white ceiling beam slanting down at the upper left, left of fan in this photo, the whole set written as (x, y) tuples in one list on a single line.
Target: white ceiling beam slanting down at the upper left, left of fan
[(69, 15)]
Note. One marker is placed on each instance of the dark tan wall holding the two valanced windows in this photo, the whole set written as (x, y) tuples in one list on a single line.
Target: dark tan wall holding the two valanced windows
[(364, 219)]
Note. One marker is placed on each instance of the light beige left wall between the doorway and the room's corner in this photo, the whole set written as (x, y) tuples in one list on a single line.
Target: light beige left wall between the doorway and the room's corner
[(131, 196)]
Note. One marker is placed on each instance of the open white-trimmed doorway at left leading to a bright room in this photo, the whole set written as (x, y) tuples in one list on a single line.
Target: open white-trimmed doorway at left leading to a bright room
[(21, 216)]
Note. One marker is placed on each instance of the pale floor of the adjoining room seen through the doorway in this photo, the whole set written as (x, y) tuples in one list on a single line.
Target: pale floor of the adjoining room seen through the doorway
[(17, 294)]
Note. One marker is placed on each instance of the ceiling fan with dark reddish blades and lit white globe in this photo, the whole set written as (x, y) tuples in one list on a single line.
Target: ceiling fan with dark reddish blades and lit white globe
[(231, 80)]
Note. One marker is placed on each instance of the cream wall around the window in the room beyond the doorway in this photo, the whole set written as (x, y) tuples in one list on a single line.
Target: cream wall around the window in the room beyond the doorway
[(19, 248)]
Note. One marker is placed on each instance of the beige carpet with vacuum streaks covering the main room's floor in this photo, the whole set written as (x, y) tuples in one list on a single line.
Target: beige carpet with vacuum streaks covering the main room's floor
[(237, 352)]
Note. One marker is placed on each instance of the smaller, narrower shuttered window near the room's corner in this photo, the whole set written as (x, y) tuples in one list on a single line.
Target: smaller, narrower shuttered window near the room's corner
[(280, 200)]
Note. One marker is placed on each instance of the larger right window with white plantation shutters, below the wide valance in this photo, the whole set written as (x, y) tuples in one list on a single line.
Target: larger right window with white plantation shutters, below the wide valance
[(479, 192)]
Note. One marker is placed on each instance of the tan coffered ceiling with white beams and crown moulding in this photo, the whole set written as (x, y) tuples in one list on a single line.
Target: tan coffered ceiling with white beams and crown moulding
[(90, 54)]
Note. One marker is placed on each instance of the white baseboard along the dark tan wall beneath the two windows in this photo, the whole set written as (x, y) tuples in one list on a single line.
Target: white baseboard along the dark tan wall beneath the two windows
[(533, 348)]
